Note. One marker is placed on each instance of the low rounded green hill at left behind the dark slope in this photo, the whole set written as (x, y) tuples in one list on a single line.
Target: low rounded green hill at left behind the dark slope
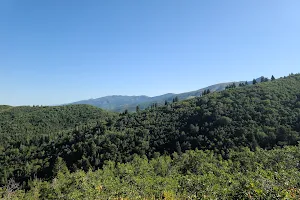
[(27, 120)]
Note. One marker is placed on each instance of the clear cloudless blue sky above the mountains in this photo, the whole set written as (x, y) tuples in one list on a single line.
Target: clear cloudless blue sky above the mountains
[(60, 51)]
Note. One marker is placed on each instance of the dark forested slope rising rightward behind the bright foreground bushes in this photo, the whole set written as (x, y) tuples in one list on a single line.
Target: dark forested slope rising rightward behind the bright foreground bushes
[(263, 115)]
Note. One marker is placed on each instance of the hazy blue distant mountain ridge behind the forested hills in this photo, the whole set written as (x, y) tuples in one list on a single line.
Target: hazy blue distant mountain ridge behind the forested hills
[(120, 103)]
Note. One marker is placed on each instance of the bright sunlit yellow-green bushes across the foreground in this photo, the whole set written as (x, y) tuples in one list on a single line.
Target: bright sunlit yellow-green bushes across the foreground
[(263, 174)]
